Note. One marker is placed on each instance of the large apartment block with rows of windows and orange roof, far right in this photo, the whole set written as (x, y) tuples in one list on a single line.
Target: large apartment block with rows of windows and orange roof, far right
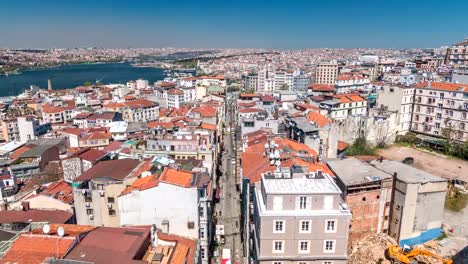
[(441, 109)]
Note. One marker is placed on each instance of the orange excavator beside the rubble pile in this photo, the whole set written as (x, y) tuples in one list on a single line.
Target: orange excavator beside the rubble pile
[(400, 255)]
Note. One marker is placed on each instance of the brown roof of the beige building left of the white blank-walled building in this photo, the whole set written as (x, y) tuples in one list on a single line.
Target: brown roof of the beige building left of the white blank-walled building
[(114, 169)]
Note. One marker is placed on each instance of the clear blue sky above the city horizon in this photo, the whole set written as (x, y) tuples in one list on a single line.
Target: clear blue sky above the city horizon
[(284, 24)]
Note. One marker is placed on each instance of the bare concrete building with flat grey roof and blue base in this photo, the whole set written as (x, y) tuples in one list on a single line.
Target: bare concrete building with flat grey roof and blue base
[(418, 203)]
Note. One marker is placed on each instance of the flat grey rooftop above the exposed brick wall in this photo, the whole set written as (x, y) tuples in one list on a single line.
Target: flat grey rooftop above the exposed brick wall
[(352, 171)]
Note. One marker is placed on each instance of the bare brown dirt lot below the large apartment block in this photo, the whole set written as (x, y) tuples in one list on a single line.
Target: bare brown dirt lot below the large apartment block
[(435, 164)]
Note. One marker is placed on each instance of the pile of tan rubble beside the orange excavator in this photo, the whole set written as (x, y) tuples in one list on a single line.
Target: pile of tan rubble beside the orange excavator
[(371, 250)]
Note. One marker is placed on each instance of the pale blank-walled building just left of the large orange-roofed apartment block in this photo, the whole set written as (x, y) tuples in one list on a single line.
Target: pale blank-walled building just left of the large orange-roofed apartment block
[(399, 99)]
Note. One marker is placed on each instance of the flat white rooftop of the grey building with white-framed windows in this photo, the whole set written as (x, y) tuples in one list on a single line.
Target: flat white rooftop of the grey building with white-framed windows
[(303, 185)]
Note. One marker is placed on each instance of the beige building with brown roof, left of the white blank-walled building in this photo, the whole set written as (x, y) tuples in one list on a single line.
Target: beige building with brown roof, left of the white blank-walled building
[(96, 190)]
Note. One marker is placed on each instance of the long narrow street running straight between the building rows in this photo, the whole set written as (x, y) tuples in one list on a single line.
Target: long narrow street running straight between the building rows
[(229, 207)]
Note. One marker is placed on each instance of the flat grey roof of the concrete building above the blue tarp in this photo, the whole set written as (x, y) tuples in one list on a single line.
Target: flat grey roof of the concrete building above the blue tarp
[(405, 172)]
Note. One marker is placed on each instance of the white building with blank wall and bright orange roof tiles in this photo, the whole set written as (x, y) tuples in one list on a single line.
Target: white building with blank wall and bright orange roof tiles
[(189, 214)]
